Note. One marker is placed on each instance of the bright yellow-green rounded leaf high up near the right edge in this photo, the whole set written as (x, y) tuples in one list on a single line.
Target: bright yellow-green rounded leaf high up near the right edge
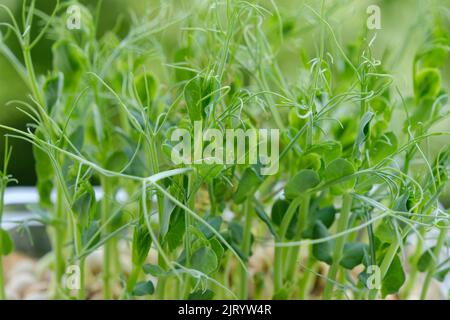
[(427, 83)]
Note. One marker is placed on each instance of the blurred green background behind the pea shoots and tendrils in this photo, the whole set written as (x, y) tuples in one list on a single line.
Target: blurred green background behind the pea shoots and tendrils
[(405, 27)]
